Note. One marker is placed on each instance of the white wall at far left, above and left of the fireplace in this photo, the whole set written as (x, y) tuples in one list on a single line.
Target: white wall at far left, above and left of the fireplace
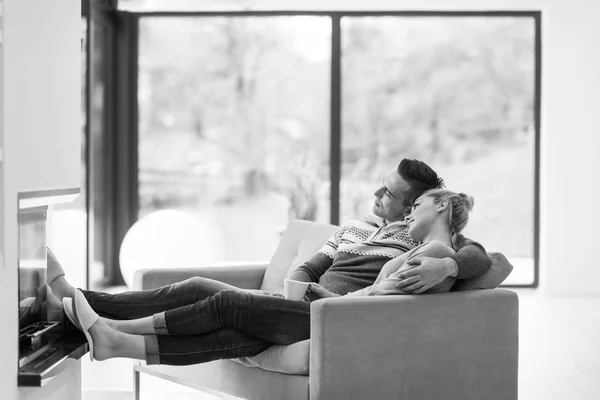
[(41, 130)]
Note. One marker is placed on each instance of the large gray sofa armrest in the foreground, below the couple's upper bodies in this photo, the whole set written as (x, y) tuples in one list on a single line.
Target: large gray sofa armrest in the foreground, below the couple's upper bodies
[(460, 345)]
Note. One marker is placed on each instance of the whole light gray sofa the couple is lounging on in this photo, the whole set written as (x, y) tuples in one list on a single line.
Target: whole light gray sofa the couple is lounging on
[(458, 345)]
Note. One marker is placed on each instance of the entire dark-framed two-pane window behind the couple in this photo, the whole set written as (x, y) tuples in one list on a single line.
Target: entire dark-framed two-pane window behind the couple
[(237, 121)]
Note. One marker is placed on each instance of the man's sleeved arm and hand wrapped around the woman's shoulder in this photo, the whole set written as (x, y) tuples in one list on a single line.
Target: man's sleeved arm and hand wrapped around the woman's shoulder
[(470, 261)]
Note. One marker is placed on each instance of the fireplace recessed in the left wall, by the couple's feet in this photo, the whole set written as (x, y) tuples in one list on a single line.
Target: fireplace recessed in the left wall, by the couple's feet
[(46, 344)]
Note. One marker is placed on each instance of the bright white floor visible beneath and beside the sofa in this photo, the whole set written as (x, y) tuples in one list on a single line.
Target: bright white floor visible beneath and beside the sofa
[(559, 357)]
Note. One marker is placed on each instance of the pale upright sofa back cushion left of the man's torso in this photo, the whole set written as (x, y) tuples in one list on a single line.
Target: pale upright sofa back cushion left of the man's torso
[(299, 243)]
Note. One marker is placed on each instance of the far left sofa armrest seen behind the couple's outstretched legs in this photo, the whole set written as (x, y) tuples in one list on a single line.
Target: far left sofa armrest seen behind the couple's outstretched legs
[(245, 275)]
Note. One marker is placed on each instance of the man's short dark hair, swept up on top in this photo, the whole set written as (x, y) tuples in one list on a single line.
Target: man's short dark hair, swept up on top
[(420, 177)]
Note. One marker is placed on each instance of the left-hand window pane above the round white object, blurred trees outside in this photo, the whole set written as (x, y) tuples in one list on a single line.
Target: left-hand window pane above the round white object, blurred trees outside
[(234, 128)]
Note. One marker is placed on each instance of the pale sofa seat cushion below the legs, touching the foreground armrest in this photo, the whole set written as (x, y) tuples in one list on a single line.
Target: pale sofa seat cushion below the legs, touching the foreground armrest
[(291, 359)]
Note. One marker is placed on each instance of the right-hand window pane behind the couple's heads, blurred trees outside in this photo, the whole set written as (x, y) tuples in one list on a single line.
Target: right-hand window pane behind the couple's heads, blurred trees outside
[(457, 93)]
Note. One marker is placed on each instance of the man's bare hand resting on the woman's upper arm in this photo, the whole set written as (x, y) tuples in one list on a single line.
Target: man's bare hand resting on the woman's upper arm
[(426, 272)]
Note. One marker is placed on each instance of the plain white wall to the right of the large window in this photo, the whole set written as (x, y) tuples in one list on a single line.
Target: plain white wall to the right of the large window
[(570, 147)]
